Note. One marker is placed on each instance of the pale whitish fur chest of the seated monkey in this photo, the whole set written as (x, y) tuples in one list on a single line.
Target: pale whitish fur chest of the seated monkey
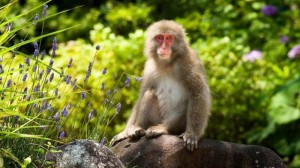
[(172, 97)]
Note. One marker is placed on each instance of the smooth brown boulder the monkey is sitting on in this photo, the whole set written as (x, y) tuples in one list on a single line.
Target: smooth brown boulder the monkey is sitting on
[(169, 151)]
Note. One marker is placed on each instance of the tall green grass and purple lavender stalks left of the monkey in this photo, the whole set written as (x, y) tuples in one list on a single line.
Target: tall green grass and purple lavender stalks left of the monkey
[(32, 90)]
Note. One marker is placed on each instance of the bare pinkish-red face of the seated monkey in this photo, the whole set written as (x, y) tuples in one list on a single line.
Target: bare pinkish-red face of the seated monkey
[(164, 45)]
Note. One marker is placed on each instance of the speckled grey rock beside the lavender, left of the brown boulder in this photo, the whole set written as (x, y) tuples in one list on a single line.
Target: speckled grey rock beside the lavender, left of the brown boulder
[(84, 154)]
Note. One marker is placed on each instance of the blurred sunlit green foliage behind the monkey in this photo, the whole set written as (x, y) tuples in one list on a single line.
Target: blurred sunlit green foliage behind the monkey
[(254, 101)]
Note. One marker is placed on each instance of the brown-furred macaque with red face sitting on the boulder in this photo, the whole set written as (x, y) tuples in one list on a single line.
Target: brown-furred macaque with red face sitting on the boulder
[(174, 96)]
